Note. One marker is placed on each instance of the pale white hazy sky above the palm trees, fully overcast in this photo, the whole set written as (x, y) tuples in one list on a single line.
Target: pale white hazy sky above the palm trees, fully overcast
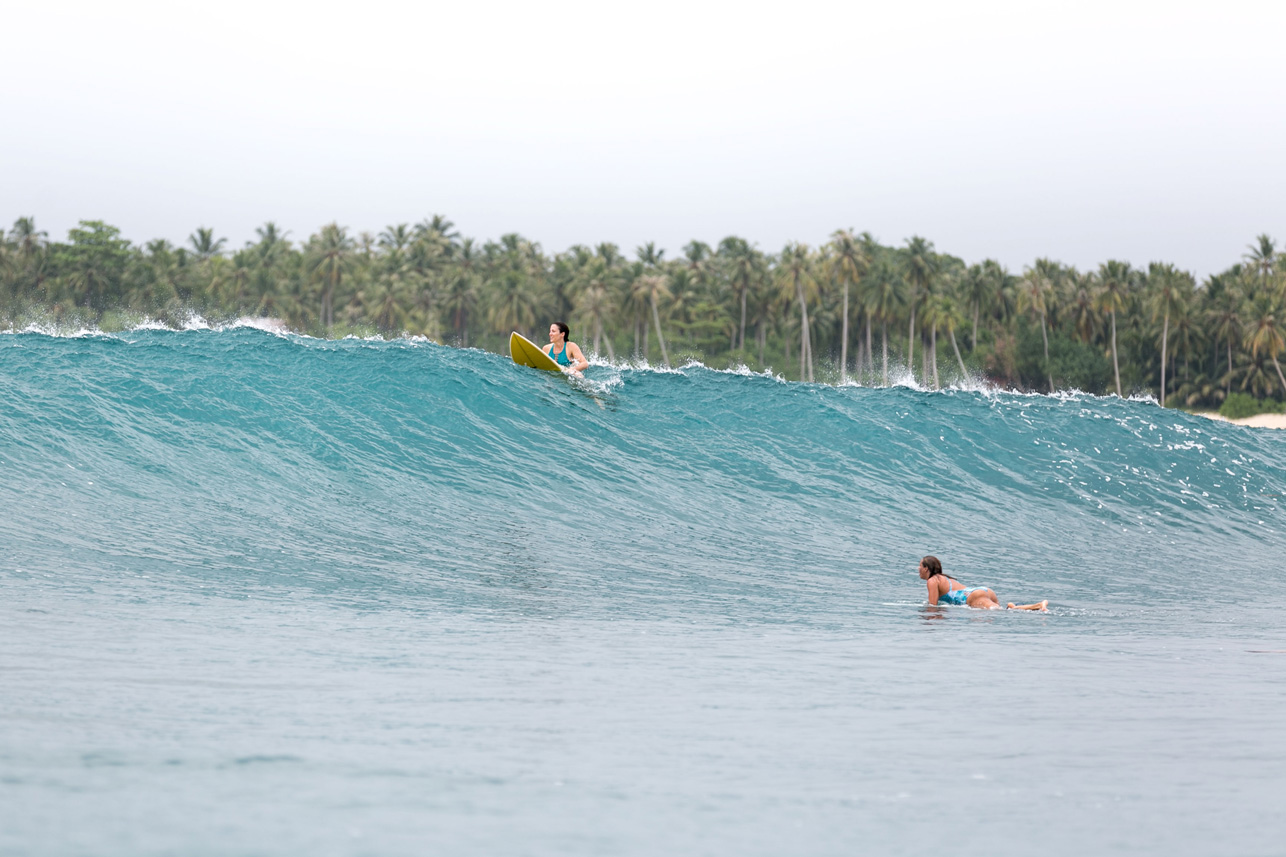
[(1076, 131)]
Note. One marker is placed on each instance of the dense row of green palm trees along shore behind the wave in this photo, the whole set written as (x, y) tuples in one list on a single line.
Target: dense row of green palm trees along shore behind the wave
[(811, 313)]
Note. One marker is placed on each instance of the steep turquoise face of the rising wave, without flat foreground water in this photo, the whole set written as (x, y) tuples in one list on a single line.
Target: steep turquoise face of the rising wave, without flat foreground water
[(428, 475)]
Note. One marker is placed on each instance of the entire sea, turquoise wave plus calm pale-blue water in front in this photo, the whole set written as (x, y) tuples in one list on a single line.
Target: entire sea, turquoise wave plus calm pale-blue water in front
[(271, 595)]
